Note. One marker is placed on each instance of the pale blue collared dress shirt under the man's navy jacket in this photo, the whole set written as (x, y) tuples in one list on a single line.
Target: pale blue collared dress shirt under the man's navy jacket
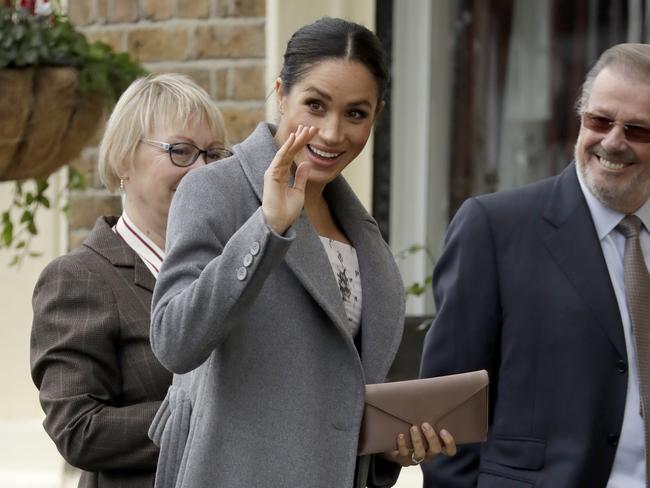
[(628, 470)]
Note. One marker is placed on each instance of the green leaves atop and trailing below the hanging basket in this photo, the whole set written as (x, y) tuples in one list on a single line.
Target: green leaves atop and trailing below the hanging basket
[(33, 40)]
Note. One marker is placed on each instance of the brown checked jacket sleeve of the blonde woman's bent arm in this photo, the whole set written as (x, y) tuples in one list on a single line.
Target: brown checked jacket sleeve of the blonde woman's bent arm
[(75, 365)]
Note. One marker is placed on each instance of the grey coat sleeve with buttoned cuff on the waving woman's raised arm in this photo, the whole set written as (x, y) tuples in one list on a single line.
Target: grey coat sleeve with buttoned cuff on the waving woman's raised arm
[(216, 262)]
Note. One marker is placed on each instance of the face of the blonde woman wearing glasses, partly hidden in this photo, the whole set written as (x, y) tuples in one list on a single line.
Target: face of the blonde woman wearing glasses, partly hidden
[(151, 178)]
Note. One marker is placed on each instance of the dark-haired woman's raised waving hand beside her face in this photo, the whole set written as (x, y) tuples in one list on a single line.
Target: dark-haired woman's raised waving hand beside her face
[(281, 203)]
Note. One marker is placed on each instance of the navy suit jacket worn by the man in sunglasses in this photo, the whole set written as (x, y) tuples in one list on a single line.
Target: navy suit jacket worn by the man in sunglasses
[(522, 290)]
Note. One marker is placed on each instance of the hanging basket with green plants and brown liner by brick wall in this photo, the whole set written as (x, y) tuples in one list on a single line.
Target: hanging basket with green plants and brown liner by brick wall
[(54, 89)]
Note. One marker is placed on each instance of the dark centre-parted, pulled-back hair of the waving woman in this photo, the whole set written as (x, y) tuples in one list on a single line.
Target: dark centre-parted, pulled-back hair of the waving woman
[(332, 38)]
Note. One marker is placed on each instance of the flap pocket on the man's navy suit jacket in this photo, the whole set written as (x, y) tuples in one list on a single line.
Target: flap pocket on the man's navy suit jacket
[(516, 452)]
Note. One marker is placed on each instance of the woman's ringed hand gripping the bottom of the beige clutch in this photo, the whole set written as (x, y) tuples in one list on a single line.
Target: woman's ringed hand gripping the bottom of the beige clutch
[(426, 444)]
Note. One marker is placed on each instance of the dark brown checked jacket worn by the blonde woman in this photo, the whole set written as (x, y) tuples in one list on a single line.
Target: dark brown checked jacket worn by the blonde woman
[(99, 383)]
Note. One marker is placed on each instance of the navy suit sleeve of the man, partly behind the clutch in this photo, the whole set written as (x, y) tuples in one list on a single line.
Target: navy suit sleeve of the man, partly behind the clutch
[(465, 334)]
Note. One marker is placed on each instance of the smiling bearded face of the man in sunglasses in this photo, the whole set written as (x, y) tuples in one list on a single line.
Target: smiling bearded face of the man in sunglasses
[(614, 169)]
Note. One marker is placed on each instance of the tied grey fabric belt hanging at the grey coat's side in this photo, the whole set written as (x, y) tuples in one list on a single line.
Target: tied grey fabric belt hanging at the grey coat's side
[(169, 431)]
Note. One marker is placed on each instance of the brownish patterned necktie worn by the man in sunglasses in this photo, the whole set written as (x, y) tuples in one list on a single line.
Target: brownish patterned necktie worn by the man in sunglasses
[(637, 289)]
